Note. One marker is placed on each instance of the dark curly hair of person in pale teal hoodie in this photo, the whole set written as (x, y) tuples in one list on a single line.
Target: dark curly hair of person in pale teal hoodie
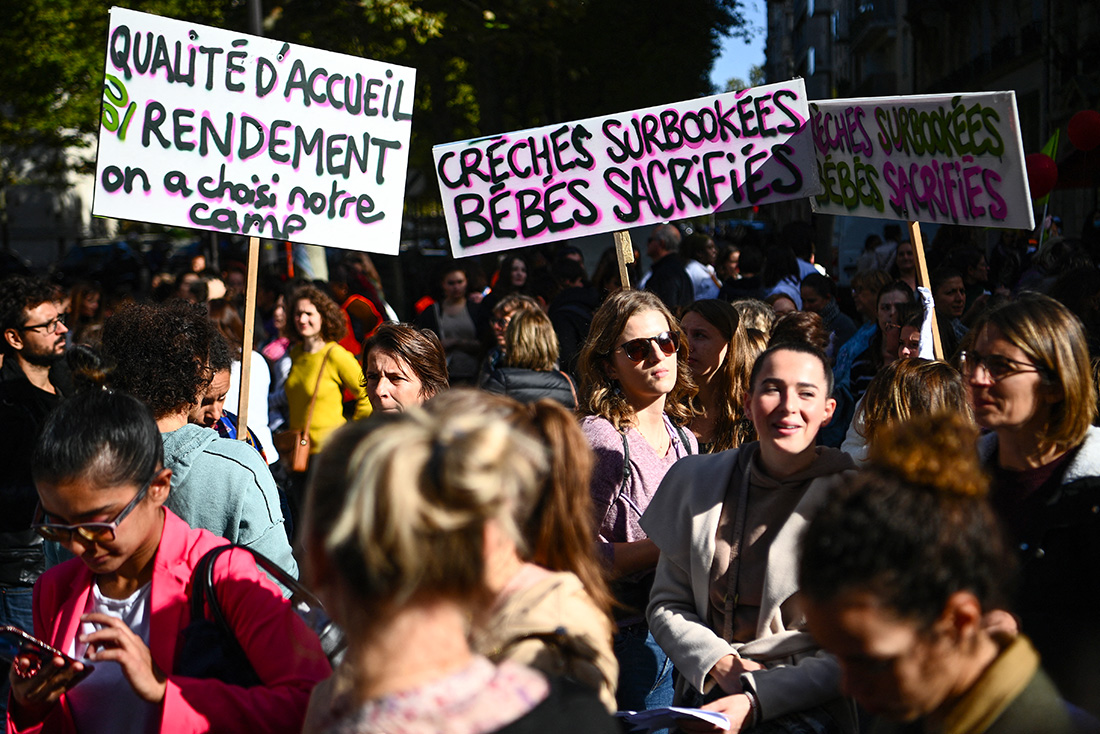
[(160, 354)]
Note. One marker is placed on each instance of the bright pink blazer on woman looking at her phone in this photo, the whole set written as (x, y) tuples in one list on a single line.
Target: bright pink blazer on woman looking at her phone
[(285, 653)]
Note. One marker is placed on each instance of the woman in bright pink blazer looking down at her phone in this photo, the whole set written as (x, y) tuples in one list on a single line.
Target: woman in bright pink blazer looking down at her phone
[(123, 605)]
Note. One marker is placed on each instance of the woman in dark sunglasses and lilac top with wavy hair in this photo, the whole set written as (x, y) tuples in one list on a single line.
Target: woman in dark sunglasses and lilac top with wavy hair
[(636, 388)]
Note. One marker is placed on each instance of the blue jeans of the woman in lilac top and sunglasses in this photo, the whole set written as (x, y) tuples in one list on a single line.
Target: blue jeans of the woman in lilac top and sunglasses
[(645, 671)]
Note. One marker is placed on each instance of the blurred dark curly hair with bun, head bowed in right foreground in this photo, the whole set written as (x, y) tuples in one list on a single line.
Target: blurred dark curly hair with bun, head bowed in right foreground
[(914, 529)]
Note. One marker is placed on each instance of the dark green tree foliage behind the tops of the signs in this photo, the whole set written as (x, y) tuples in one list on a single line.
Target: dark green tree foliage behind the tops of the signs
[(481, 69)]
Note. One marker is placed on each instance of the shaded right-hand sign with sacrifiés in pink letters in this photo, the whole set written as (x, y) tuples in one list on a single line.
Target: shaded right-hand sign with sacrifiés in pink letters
[(948, 159)]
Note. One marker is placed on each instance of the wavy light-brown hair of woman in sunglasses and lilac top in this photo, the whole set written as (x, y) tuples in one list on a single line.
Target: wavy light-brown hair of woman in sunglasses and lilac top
[(601, 393)]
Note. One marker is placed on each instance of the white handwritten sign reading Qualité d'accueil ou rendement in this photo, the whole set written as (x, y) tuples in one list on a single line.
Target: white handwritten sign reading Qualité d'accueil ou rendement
[(224, 132)]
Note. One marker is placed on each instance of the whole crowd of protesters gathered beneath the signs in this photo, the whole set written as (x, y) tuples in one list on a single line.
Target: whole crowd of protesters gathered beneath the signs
[(546, 498)]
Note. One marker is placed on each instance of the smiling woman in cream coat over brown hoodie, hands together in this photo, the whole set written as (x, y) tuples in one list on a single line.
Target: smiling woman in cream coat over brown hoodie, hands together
[(725, 602)]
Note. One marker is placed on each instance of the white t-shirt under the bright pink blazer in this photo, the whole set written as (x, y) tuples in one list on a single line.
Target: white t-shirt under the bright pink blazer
[(105, 703)]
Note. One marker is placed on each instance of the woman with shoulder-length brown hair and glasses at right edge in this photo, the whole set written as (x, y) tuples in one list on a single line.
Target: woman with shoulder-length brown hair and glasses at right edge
[(1030, 382)]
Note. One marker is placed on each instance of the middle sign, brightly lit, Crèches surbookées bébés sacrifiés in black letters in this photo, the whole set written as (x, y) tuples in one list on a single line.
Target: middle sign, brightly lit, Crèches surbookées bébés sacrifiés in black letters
[(630, 170)]
